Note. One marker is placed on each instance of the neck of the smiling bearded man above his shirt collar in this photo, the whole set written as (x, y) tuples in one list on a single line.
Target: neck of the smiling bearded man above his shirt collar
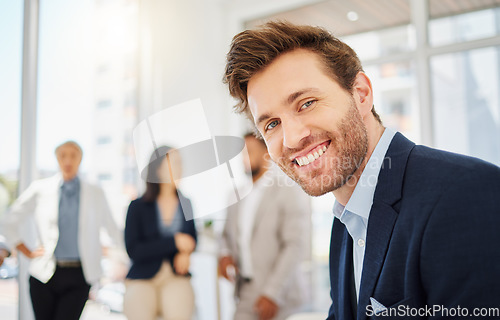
[(344, 193)]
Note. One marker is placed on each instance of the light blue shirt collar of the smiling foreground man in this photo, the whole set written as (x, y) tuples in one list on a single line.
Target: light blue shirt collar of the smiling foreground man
[(361, 199)]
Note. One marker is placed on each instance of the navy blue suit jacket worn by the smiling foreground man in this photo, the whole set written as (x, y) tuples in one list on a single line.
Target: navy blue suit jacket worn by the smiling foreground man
[(433, 238)]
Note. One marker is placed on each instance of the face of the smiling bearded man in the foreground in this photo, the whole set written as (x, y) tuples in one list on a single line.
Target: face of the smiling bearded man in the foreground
[(311, 125)]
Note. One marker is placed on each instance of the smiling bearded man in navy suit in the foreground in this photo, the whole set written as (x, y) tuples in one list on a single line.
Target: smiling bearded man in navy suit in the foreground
[(414, 227)]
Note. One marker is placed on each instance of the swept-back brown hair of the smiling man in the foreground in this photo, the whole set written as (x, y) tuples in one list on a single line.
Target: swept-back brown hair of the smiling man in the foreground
[(252, 50)]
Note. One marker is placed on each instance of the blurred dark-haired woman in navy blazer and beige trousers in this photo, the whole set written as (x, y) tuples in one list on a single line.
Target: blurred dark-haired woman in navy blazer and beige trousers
[(159, 241)]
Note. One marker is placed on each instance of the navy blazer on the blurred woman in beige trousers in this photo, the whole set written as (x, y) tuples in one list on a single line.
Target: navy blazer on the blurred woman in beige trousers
[(146, 246)]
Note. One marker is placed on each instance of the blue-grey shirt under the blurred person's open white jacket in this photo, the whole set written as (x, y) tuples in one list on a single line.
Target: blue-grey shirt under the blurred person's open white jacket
[(69, 207)]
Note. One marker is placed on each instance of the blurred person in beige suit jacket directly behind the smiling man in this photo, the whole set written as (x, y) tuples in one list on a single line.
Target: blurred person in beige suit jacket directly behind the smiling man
[(265, 241)]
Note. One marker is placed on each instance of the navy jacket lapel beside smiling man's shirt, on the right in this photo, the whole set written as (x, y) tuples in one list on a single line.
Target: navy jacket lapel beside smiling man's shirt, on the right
[(383, 216)]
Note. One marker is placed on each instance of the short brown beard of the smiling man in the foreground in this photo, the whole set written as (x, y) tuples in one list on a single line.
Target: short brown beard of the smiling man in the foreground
[(350, 141)]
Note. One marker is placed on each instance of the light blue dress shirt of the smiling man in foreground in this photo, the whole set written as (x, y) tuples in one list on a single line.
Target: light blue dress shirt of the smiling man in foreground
[(357, 211)]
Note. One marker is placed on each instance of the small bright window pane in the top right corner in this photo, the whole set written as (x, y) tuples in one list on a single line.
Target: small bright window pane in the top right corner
[(464, 27)]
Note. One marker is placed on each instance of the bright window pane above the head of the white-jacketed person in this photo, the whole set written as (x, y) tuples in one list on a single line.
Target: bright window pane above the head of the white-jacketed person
[(65, 72)]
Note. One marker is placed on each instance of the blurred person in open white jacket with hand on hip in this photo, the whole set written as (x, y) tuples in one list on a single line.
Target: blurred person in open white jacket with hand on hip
[(69, 214)]
